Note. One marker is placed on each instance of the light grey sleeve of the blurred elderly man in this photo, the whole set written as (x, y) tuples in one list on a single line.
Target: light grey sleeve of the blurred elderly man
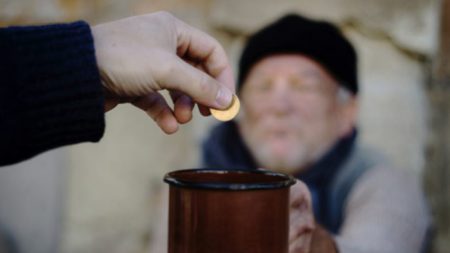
[(386, 213)]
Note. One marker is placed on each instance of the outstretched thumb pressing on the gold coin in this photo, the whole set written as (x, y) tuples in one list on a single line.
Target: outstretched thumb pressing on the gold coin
[(200, 86)]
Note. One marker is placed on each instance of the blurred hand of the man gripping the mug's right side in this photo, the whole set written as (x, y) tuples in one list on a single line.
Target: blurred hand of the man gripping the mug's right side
[(302, 223)]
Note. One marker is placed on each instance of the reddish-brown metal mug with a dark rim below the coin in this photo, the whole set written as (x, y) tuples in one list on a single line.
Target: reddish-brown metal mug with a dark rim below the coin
[(228, 211)]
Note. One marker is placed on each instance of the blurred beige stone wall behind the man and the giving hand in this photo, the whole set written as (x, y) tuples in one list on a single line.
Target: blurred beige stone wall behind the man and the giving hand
[(103, 197)]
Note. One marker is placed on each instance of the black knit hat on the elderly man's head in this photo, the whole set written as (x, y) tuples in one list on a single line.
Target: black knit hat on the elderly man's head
[(319, 40)]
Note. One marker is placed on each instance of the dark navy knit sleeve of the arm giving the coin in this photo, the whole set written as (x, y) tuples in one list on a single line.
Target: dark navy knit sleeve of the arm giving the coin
[(50, 90)]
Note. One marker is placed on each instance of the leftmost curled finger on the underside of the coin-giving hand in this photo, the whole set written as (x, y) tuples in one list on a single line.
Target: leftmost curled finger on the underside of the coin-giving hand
[(157, 108)]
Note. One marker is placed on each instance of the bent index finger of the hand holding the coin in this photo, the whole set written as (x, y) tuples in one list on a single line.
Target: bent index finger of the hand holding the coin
[(196, 45)]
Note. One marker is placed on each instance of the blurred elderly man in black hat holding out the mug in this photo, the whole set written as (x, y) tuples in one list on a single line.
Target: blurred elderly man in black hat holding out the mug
[(298, 87)]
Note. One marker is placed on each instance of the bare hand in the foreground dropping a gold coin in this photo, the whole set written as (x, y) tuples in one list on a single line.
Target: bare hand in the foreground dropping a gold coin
[(139, 56)]
